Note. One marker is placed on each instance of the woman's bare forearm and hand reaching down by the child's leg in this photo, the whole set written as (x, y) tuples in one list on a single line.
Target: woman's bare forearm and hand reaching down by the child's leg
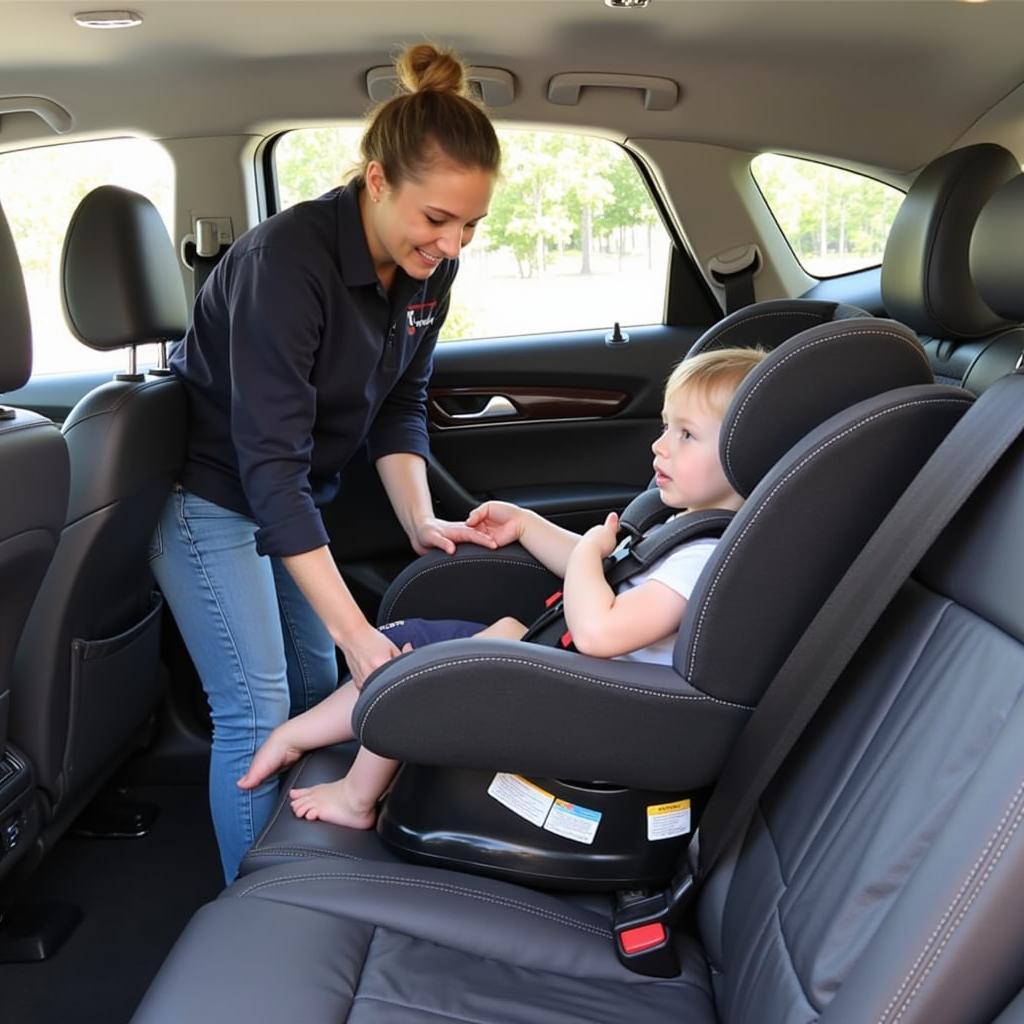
[(365, 649)]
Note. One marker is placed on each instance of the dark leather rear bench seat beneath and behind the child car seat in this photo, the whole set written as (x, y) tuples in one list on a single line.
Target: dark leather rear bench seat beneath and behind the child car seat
[(881, 880)]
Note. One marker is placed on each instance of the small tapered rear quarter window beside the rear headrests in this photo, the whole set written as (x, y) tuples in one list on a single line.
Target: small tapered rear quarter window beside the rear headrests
[(836, 222)]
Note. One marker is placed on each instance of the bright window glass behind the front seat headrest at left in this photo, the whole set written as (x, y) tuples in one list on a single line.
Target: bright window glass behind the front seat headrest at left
[(39, 191)]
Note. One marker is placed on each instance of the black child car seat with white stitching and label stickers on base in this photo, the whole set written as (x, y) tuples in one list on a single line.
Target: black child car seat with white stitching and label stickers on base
[(822, 438)]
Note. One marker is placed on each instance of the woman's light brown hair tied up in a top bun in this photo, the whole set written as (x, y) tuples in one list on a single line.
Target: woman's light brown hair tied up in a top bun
[(435, 118)]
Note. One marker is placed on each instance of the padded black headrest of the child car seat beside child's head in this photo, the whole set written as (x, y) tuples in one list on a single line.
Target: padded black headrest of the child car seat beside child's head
[(809, 379)]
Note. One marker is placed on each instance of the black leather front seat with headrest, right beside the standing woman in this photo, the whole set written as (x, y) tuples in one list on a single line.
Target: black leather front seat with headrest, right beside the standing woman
[(87, 674)]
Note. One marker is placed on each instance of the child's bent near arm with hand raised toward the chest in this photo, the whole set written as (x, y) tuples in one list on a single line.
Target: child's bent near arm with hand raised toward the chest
[(605, 624)]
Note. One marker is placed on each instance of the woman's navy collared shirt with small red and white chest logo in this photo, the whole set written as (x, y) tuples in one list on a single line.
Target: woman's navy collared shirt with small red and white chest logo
[(296, 358)]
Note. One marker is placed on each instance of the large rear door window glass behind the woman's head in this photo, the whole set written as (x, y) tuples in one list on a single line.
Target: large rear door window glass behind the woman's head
[(573, 241)]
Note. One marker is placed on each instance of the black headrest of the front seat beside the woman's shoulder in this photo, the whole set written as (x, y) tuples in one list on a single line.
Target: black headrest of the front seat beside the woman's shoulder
[(120, 276)]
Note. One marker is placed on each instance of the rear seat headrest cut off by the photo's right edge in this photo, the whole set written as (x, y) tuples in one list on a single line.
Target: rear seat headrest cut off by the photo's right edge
[(998, 251)]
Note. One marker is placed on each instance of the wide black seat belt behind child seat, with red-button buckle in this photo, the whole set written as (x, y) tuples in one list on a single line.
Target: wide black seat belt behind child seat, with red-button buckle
[(643, 923)]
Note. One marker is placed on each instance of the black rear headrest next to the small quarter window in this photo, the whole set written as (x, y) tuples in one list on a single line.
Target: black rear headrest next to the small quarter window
[(926, 278)]
